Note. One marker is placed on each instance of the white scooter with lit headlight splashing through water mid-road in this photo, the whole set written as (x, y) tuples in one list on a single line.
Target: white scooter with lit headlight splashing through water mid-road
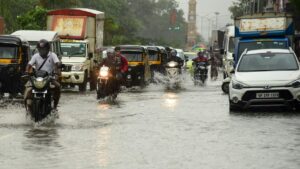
[(173, 72)]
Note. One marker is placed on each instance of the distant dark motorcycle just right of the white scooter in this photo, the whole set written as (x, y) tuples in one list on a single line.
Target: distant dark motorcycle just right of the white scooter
[(200, 72)]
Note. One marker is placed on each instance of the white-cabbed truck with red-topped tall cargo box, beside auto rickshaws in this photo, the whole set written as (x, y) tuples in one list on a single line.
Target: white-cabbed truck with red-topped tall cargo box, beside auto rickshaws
[(81, 34)]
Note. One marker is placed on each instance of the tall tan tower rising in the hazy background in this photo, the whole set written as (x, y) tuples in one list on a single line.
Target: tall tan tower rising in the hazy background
[(192, 29)]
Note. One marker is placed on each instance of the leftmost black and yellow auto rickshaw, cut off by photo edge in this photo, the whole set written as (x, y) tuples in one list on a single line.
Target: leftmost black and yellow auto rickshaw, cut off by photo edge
[(14, 56)]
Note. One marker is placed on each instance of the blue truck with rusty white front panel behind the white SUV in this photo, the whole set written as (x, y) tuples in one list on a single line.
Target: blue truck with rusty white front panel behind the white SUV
[(263, 31)]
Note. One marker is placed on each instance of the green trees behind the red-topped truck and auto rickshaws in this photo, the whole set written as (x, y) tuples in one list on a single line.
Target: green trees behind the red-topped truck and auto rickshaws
[(127, 21)]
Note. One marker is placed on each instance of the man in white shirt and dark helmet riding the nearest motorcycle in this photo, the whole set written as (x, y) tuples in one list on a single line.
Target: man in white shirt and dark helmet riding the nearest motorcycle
[(46, 61)]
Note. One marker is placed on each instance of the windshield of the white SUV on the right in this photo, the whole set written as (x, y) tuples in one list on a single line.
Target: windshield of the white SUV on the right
[(268, 62)]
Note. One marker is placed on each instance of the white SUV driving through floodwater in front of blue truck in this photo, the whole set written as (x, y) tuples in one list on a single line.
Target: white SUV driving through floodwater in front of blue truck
[(267, 77)]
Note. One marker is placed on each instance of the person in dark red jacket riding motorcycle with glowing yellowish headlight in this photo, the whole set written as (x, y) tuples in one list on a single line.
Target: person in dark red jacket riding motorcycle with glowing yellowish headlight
[(117, 62)]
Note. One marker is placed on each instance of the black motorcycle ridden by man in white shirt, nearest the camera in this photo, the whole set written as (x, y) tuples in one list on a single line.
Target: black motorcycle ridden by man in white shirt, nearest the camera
[(42, 96)]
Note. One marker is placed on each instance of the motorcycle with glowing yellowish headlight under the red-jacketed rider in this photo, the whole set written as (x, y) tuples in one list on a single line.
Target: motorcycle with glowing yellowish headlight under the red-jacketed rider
[(107, 85)]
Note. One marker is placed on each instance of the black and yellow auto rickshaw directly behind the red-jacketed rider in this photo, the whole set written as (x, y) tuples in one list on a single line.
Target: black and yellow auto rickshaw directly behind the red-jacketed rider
[(138, 65)]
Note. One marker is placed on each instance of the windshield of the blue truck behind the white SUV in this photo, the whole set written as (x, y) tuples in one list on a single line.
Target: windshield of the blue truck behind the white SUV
[(261, 45)]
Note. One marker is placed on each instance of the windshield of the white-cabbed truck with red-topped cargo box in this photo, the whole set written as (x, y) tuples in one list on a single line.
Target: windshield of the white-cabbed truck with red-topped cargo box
[(74, 49)]
